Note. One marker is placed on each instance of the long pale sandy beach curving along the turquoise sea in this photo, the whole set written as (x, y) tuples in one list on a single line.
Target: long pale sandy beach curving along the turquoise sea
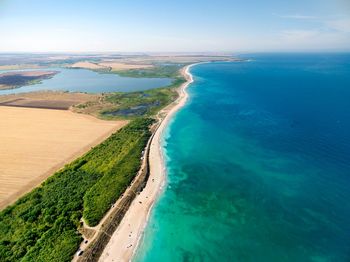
[(124, 241)]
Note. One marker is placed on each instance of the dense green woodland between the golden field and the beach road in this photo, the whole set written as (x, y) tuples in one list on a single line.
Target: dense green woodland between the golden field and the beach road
[(42, 225)]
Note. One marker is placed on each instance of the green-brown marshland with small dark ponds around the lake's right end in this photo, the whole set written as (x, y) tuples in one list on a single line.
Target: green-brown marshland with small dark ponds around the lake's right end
[(136, 104)]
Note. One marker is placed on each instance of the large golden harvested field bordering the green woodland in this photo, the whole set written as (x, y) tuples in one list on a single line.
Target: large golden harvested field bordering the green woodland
[(37, 142)]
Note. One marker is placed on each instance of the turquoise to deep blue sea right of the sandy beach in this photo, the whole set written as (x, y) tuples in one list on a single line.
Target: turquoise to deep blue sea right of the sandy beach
[(258, 164)]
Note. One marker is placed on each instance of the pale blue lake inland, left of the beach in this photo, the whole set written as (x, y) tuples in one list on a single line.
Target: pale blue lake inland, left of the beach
[(83, 80)]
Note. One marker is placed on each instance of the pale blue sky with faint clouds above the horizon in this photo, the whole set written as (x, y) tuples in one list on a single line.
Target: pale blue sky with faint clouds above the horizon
[(174, 26)]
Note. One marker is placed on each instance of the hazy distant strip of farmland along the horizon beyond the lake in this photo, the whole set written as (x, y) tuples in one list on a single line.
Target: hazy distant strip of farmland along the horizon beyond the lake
[(101, 61)]
